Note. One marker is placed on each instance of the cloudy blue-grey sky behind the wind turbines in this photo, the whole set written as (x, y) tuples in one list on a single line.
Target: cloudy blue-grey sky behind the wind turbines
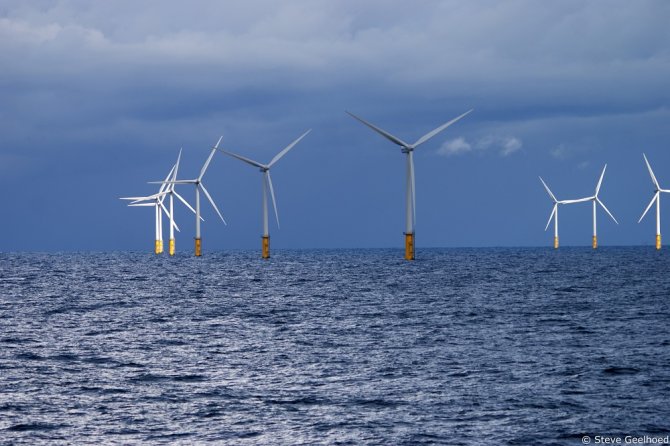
[(97, 98)]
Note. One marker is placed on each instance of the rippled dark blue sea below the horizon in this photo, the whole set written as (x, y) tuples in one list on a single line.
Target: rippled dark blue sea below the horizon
[(462, 346)]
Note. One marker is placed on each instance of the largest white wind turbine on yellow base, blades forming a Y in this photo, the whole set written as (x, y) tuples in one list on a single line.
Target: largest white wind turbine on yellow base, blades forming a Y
[(408, 149)]
